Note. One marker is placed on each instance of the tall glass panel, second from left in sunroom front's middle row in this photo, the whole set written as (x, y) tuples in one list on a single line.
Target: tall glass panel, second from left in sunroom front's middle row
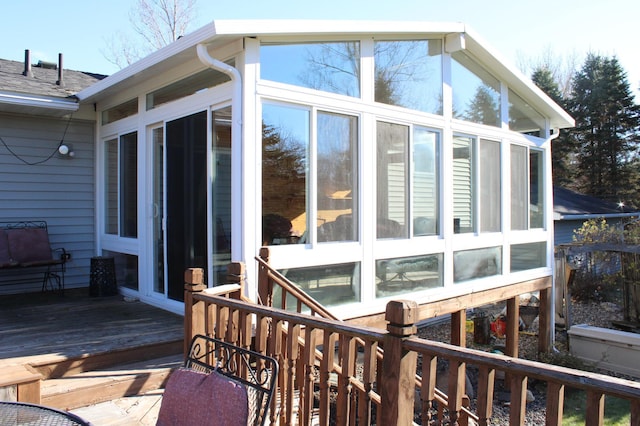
[(337, 177)]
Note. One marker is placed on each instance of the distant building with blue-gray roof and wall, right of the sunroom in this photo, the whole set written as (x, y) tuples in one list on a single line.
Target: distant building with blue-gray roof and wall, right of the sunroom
[(572, 209)]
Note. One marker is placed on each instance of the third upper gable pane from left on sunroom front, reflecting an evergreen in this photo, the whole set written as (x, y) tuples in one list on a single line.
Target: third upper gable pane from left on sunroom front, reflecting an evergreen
[(476, 93)]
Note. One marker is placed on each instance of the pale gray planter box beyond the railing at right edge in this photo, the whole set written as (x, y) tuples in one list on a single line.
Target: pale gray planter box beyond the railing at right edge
[(612, 350)]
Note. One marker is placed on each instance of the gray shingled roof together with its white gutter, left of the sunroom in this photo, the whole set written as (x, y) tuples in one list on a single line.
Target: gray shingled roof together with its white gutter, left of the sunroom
[(39, 92)]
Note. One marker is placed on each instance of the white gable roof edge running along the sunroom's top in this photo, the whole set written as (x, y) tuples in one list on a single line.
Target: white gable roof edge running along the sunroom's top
[(218, 33)]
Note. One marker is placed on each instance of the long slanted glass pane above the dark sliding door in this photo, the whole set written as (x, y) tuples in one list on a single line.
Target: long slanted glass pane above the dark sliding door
[(187, 86)]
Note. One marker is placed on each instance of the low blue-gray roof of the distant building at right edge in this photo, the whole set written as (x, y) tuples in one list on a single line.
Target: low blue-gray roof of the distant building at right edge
[(571, 205)]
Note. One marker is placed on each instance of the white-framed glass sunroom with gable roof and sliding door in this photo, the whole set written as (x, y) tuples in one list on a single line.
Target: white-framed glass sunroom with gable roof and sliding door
[(377, 160)]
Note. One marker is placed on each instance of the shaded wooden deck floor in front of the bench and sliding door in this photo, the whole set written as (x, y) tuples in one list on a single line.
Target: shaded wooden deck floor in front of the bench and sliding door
[(48, 324)]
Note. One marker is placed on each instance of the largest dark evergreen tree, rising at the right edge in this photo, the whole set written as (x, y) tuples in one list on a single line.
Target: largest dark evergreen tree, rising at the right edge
[(606, 133)]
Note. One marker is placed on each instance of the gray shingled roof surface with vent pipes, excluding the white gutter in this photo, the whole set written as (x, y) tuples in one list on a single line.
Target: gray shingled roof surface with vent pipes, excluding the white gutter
[(43, 80)]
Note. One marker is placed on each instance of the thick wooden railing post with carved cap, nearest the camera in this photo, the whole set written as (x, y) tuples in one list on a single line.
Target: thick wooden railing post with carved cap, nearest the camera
[(399, 365)]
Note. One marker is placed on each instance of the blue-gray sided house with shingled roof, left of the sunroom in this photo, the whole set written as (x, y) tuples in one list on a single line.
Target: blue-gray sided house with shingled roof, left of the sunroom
[(38, 113)]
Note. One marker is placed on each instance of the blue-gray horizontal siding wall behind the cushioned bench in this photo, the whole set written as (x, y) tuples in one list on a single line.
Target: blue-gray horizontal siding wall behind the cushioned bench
[(59, 191)]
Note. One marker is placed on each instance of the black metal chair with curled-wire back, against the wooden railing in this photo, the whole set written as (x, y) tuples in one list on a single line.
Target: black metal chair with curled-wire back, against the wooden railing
[(256, 372)]
